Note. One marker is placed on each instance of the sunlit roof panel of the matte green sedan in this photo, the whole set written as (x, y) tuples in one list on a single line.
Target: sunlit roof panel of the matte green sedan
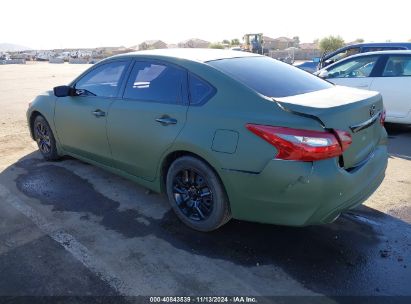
[(193, 54)]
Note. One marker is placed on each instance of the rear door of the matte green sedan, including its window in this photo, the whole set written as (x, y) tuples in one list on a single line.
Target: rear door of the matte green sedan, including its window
[(145, 122)]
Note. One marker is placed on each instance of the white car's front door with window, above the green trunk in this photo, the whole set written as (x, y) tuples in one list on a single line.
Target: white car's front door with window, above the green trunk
[(355, 72)]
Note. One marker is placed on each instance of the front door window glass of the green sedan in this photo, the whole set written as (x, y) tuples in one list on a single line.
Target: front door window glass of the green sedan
[(102, 81)]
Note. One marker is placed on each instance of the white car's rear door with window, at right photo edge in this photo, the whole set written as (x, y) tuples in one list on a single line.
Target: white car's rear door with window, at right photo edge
[(394, 84)]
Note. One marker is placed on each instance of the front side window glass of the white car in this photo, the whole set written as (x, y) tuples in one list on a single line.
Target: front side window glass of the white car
[(354, 68)]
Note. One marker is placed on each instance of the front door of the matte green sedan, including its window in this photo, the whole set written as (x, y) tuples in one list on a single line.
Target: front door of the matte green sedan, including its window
[(81, 120)]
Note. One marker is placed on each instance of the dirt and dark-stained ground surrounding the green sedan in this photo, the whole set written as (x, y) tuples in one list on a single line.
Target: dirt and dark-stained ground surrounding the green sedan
[(68, 228)]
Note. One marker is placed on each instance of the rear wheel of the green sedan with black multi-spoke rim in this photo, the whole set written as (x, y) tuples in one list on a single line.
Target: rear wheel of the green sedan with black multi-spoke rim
[(196, 194)]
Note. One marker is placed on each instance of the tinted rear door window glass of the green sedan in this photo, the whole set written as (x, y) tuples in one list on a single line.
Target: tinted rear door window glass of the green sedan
[(156, 82)]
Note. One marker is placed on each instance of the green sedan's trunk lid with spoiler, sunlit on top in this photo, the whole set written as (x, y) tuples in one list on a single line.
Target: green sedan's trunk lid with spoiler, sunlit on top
[(352, 110)]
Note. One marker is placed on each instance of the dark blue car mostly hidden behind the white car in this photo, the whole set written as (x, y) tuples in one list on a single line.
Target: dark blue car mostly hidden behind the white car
[(352, 49)]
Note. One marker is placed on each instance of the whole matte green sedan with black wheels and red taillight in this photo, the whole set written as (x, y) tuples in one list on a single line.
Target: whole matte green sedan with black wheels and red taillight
[(223, 133)]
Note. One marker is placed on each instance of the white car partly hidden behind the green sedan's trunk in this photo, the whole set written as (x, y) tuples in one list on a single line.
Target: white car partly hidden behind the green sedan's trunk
[(387, 72)]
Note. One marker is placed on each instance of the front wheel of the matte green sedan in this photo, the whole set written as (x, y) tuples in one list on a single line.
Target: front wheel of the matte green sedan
[(44, 137)]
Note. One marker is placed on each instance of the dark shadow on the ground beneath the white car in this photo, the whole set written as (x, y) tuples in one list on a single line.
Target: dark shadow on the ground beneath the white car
[(399, 137)]
